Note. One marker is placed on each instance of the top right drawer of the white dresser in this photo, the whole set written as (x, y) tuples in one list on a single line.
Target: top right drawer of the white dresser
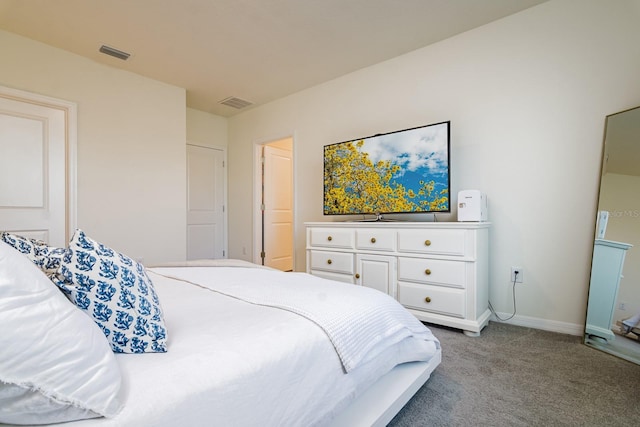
[(429, 241)]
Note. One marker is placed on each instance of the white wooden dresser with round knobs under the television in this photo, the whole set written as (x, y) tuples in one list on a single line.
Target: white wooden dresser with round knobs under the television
[(438, 271)]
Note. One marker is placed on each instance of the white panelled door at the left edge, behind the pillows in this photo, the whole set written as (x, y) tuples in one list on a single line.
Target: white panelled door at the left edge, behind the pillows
[(34, 144)]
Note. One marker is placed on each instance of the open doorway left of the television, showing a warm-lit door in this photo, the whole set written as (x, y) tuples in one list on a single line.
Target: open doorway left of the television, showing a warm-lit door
[(273, 240)]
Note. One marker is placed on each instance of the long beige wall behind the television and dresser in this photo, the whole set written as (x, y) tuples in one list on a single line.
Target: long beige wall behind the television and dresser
[(527, 98)]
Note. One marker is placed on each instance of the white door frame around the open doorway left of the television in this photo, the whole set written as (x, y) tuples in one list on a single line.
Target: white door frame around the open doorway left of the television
[(257, 195)]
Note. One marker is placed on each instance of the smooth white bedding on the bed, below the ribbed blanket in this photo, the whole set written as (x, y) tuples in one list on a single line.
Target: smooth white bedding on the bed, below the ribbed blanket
[(234, 363)]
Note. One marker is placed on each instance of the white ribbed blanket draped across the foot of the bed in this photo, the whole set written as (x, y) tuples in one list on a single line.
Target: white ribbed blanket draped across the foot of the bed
[(360, 322)]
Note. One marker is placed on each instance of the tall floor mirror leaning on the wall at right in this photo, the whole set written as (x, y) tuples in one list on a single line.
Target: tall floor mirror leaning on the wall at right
[(613, 311)]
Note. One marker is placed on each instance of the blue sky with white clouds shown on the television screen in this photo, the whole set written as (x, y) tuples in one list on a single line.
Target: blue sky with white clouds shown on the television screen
[(422, 150)]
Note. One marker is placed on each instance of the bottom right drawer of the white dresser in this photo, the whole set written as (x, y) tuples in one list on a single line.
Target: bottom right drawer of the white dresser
[(447, 301)]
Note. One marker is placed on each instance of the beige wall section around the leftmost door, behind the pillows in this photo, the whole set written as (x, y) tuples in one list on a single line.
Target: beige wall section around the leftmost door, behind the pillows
[(131, 146)]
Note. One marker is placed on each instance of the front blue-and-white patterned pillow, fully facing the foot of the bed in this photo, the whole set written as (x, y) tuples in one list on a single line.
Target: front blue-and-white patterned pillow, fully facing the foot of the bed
[(117, 293)]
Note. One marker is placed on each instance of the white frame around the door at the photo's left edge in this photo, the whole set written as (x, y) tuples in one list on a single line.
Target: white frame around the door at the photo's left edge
[(70, 110)]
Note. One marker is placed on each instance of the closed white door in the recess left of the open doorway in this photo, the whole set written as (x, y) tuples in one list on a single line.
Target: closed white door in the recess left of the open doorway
[(206, 181)]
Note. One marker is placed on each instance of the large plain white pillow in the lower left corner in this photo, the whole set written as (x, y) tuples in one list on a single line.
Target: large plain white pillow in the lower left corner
[(55, 364)]
